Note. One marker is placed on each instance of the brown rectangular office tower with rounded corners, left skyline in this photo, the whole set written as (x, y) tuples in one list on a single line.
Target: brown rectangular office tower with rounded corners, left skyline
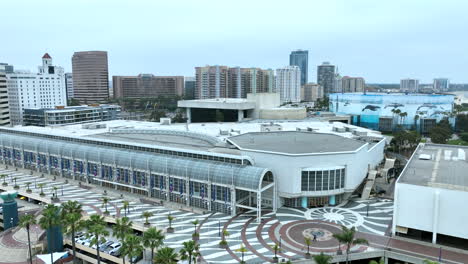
[(90, 76)]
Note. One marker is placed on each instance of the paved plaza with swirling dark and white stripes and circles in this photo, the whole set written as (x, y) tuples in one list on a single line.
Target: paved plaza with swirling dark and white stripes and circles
[(287, 227)]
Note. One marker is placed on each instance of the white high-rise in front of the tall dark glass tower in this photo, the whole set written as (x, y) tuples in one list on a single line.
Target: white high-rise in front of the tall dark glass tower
[(288, 84)]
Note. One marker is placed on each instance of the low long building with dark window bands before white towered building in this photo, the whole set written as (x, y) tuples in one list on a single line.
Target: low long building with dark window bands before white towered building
[(70, 115)]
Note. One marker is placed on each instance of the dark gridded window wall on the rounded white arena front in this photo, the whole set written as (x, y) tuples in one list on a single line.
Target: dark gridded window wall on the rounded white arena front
[(322, 180)]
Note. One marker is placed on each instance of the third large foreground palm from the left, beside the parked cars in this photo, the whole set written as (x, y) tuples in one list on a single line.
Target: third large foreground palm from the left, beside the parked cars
[(71, 217)]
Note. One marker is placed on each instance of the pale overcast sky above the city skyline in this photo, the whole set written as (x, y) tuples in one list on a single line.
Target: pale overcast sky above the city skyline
[(380, 40)]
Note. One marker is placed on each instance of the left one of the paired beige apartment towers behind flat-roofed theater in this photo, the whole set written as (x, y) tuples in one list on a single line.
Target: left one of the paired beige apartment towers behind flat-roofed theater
[(211, 82)]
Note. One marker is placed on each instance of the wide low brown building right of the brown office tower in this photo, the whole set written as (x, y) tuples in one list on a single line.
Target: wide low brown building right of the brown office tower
[(147, 85)]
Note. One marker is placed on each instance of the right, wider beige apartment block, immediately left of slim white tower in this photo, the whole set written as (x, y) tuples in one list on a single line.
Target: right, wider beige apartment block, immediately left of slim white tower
[(242, 81)]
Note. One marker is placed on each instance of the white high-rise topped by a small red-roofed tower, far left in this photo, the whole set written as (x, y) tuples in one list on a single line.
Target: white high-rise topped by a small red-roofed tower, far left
[(45, 89)]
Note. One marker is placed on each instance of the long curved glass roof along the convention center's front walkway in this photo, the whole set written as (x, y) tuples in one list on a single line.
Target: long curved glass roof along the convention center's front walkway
[(242, 176)]
